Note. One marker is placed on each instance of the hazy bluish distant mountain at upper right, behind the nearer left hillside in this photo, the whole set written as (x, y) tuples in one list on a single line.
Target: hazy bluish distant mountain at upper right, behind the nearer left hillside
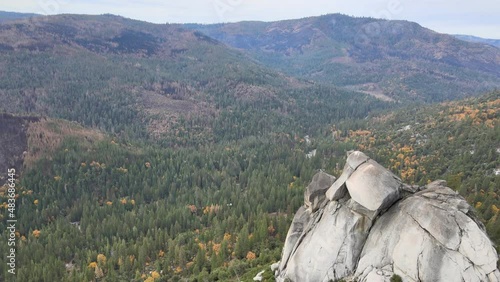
[(399, 60)]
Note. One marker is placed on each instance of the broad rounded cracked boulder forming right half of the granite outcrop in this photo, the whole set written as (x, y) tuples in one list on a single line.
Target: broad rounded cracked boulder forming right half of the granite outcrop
[(429, 237)]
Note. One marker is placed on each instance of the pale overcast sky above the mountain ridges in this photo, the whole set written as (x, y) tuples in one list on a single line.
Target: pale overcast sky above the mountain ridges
[(480, 17)]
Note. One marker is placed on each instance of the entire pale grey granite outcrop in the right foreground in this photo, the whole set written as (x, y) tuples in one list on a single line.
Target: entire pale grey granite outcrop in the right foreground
[(368, 226)]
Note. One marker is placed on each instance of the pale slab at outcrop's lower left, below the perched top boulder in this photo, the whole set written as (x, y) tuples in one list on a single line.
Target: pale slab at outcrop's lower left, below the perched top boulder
[(325, 252)]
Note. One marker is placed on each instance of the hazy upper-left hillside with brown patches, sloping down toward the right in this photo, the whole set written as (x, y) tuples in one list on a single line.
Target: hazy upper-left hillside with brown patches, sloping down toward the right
[(138, 80)]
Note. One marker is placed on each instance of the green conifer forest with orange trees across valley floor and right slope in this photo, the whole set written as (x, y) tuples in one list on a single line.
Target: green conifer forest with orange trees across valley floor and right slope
[(118, 210)]
